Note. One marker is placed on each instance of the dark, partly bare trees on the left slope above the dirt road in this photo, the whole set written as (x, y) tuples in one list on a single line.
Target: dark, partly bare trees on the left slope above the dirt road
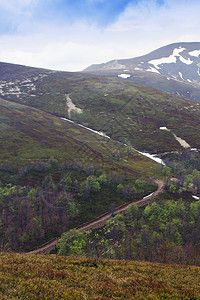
[(43, 200)]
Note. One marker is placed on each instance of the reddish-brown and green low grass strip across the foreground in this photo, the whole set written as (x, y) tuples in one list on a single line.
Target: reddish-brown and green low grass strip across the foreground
[(50, 277)]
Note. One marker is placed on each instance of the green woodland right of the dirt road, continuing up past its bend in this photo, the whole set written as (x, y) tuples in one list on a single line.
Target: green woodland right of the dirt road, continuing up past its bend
[(167, 230)]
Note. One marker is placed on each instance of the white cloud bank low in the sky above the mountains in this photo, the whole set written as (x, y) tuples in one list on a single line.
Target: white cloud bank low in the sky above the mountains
[(74, 46)]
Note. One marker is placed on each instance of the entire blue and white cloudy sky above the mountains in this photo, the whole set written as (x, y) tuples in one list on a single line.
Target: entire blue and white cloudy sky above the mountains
[(70, 35)]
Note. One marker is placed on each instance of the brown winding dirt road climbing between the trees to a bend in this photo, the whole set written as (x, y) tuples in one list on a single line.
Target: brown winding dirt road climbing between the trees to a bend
[(101, 220)]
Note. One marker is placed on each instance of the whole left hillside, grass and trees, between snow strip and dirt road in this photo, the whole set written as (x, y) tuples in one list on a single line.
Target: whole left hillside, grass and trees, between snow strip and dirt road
[(55, 175)]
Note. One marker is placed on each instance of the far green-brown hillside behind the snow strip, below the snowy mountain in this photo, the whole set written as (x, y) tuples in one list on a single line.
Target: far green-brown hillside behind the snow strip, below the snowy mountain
[(128, 110)]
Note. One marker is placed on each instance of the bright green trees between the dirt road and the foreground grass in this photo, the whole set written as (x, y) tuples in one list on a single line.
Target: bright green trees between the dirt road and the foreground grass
[(168, 232)]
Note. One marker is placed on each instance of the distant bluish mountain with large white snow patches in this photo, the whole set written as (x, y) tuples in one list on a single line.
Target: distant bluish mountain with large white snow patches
[(173, 68)]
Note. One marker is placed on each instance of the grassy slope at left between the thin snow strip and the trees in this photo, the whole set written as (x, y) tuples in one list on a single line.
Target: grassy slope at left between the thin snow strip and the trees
[(30, 134)]
